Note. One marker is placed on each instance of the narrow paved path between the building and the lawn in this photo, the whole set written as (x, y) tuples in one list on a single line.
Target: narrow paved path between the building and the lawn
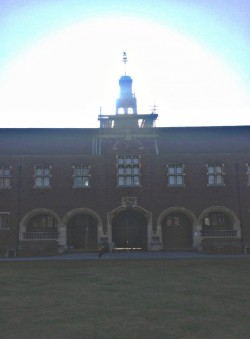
[(129, 255)]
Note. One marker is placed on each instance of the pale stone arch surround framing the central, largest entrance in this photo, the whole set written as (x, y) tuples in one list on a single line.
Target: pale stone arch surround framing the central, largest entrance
[(135, 209)]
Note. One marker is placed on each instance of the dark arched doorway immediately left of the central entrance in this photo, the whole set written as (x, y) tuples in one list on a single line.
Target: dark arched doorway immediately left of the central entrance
[(82, 232)]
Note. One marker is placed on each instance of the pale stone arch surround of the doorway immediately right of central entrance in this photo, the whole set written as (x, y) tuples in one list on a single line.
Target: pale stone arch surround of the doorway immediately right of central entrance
[(191, 221)]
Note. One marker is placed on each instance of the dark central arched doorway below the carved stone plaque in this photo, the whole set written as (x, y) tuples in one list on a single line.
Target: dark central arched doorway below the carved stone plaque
[(129, 230)]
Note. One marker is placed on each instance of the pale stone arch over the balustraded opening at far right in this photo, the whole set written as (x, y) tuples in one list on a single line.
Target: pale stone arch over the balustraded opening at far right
[(229, 213)]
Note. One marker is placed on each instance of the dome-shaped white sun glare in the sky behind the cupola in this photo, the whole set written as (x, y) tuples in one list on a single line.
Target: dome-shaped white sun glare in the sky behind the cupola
[(64, 78)]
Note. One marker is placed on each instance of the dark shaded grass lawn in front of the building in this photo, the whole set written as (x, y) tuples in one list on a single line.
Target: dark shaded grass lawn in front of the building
[(194, 298)]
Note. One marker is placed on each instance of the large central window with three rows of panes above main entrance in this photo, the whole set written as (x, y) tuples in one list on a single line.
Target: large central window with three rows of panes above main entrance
[(128, 170)]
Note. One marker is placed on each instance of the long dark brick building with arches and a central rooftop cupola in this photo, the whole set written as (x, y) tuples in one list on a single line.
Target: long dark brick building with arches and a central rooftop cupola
[(128, 184)]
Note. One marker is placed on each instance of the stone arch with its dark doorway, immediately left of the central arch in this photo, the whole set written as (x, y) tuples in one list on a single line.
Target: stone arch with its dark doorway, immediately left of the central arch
[(90, 236)]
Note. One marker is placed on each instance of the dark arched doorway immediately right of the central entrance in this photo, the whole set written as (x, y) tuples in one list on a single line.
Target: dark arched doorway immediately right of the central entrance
[(177, 232)]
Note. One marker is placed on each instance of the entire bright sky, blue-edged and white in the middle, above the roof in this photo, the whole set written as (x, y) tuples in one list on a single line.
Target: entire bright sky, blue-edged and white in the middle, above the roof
[(61, 60)]
